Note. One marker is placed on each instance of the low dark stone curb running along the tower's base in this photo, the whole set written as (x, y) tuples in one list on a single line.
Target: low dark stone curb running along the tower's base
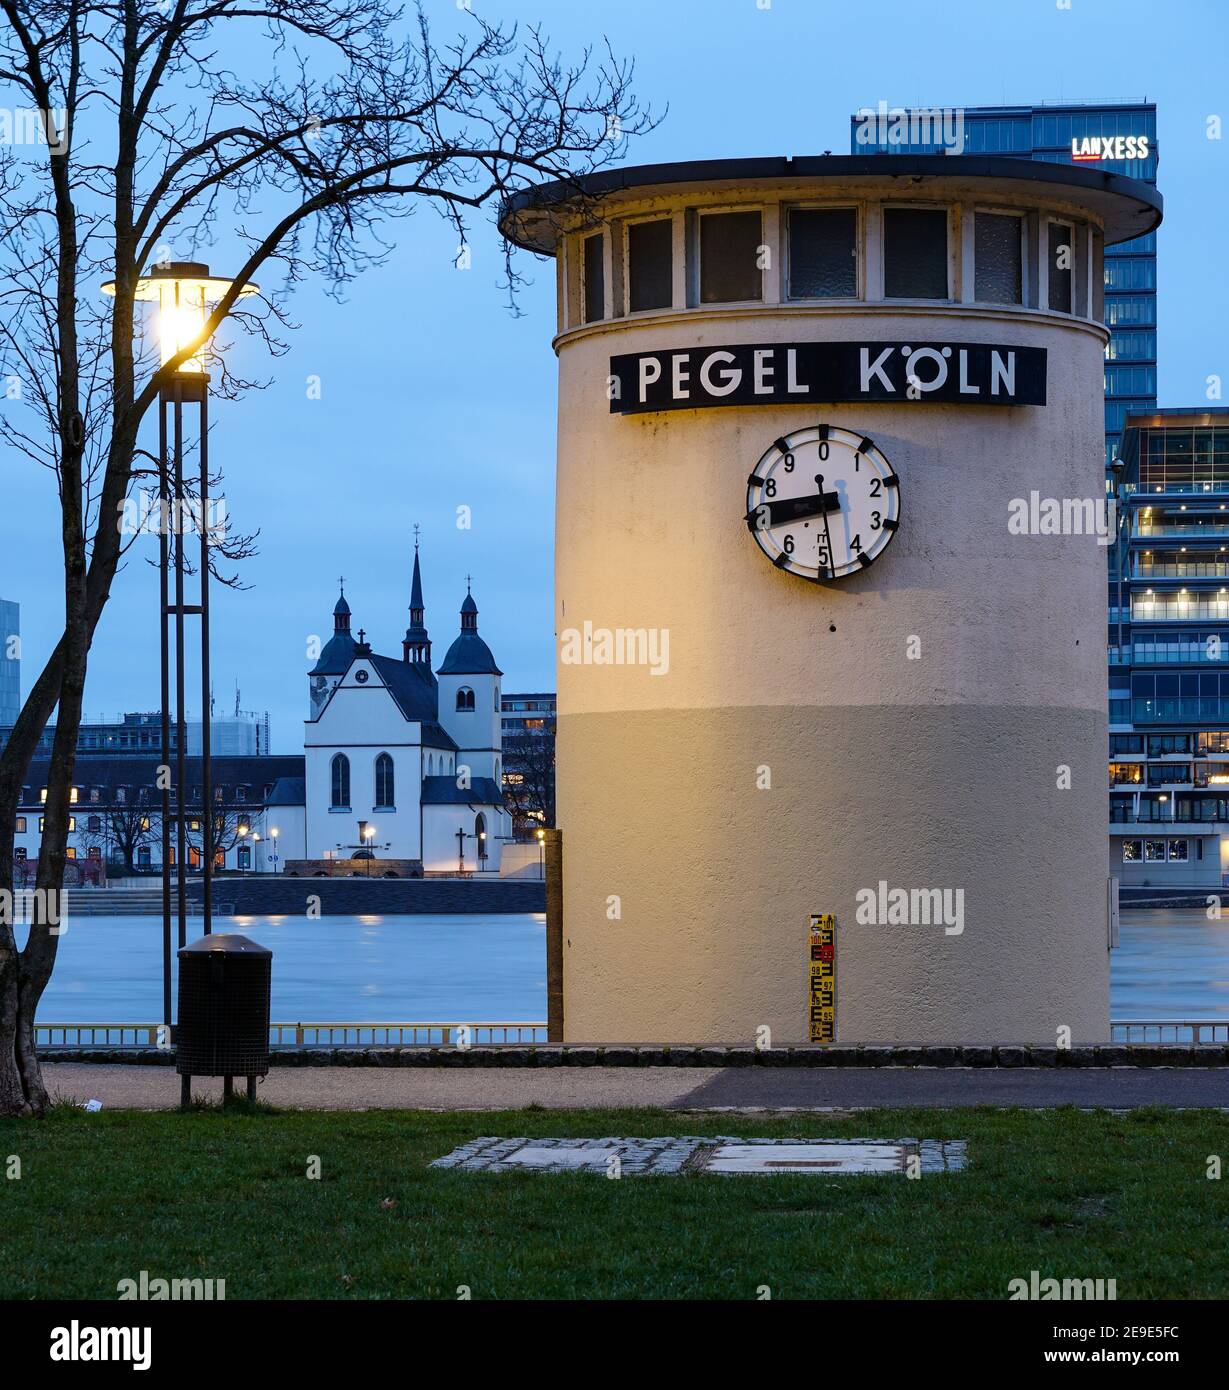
[(999, 1056)]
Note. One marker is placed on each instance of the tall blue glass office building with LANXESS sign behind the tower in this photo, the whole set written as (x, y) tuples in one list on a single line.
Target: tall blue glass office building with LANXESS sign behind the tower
[(1120, 138)]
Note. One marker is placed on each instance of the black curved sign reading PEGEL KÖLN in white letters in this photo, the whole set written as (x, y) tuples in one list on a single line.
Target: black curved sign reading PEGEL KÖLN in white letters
[(779, 375)]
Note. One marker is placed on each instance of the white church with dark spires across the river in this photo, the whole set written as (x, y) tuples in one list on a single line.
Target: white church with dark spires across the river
[(404, 764)]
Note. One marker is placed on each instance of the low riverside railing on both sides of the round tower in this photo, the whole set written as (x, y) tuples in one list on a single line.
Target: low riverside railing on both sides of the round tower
[(119, 1036)]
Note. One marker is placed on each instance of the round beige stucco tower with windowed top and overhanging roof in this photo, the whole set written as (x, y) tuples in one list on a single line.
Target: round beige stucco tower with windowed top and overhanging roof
[(770, 705)]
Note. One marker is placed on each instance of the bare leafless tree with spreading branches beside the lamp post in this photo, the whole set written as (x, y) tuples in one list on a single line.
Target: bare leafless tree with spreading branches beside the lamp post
[(352, 120)]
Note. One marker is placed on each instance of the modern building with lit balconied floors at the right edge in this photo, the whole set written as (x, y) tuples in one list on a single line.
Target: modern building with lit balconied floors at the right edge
[(1170, 653)]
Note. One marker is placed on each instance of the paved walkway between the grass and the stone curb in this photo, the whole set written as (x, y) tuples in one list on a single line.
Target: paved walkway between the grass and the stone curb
[(480, 1089)]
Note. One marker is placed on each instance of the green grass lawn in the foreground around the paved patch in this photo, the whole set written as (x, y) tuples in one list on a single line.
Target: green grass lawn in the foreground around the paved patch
[(225, 1196)]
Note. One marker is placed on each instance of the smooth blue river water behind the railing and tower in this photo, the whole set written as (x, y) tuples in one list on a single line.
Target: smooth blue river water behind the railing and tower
[(473, 970)]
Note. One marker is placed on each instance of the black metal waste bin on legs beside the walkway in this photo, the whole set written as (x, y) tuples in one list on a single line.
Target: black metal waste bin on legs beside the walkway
[(223, 1022)]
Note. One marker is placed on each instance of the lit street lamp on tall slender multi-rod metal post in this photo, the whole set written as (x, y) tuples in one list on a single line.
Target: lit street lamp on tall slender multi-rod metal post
[(184, 293)]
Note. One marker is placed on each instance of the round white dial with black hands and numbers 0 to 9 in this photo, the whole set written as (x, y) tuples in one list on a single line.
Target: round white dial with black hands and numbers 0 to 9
[(824, 502)]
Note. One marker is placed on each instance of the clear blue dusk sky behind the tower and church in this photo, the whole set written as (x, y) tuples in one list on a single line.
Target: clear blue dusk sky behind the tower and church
[(434, 397)]
